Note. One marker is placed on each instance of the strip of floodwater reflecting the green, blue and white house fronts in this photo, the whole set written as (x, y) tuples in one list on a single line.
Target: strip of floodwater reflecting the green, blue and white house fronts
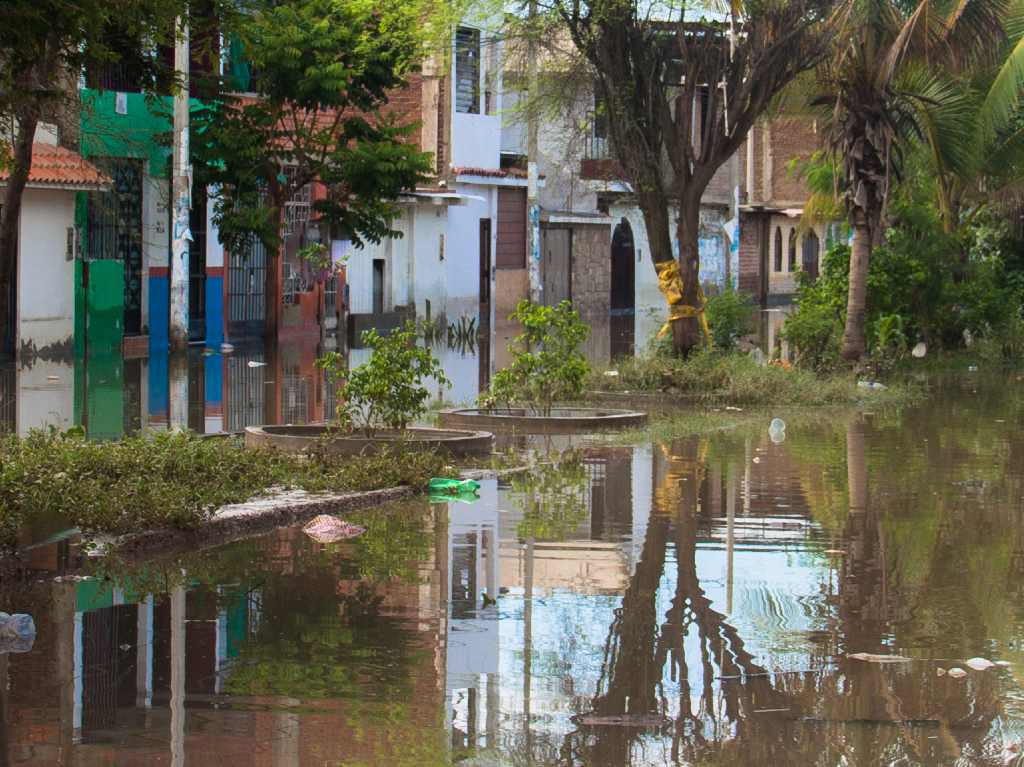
[(209, 394)]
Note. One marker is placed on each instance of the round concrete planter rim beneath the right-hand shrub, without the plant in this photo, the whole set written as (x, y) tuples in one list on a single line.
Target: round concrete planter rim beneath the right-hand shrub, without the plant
[(562, 420)]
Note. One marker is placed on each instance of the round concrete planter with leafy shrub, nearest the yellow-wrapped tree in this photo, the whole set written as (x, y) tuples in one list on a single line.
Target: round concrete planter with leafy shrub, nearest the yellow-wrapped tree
[(548, 369)]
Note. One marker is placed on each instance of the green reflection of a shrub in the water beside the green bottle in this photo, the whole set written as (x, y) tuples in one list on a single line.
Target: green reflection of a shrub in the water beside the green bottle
[(552, 498)]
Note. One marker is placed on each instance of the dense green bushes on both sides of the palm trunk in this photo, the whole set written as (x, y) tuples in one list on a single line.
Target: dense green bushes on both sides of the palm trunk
[(924, 285)]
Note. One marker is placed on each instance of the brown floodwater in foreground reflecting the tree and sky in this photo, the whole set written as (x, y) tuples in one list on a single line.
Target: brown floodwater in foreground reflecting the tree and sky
[(720, 601)]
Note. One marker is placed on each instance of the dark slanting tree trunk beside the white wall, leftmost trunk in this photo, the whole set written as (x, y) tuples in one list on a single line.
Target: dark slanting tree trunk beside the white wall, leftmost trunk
[(9, 227)]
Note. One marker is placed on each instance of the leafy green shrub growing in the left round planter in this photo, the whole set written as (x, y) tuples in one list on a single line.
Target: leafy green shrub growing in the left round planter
[(390, 391)]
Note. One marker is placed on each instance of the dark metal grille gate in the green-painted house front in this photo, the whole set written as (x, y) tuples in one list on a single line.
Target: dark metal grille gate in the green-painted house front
[(114, 232)]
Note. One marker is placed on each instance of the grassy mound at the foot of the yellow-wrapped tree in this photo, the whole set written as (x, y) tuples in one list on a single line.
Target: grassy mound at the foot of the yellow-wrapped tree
[(723, 378)]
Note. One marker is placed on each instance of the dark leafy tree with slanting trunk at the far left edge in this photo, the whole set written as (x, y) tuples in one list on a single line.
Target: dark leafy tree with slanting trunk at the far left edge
[(44, 46)]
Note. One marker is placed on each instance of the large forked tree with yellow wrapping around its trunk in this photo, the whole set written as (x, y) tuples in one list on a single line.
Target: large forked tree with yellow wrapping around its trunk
[(653, 62)]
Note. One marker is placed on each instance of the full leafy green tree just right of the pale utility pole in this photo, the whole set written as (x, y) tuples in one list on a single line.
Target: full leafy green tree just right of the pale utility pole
[(323, 72)]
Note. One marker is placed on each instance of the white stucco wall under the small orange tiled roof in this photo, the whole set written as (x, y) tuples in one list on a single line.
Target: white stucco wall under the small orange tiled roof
[(46, 275)]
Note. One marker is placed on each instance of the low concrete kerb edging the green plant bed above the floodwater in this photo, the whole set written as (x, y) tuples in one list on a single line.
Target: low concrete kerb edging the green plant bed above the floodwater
[(239, 522)]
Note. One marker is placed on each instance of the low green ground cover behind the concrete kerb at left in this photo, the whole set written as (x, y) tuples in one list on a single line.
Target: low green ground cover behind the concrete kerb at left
[(170, 480)]
